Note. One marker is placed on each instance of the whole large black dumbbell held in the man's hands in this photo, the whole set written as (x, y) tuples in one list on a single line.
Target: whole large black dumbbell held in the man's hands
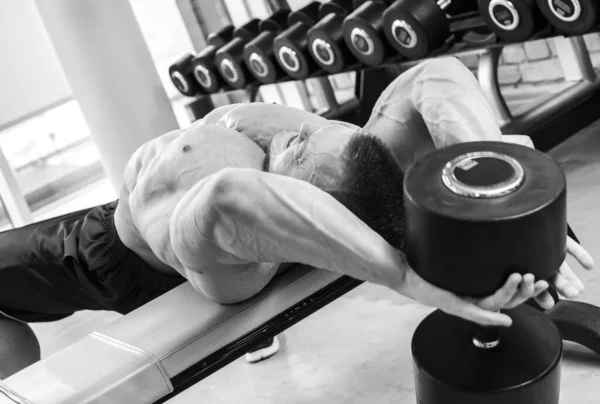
[(509, 192)]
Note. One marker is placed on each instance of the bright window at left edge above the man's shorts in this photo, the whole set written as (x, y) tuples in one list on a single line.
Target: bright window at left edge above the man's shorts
[(52, 156)]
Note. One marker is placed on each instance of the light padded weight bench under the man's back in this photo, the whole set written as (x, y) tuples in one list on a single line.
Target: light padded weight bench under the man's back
[(171, 343)]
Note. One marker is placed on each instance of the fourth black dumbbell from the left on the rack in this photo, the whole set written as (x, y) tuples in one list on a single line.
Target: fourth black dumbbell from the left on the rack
[(258, 53)]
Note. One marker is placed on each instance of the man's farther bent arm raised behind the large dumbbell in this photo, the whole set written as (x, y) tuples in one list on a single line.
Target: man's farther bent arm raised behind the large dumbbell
[(432, 105)]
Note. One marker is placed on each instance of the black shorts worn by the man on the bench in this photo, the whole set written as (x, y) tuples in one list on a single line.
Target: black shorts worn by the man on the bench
[(51, 269)]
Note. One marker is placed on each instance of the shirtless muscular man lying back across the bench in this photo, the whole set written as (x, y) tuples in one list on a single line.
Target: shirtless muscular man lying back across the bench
[(226, 201)]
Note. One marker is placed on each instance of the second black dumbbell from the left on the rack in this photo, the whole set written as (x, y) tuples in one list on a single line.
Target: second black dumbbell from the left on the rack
[(203, 65)]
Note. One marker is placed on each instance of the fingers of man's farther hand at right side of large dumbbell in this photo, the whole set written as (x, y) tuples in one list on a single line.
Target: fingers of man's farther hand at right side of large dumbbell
[(565, 281)]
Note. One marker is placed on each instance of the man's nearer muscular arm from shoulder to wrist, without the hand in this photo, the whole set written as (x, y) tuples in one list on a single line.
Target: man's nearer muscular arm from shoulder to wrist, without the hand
[(241, 216)]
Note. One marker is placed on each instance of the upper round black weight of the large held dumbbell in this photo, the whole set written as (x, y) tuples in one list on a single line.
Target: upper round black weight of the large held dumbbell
[(477, 212)]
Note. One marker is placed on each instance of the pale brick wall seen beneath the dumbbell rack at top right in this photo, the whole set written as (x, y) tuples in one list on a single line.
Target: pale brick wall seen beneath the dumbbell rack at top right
[(534, 62)]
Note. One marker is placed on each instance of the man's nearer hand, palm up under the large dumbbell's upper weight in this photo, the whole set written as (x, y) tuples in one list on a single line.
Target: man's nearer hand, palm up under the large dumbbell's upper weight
[(517, 289)]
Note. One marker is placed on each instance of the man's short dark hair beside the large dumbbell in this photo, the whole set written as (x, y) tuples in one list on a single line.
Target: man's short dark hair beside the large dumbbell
[(373, 187)]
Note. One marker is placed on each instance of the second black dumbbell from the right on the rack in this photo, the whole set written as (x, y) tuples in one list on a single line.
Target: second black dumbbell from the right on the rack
[(512, 20)]
